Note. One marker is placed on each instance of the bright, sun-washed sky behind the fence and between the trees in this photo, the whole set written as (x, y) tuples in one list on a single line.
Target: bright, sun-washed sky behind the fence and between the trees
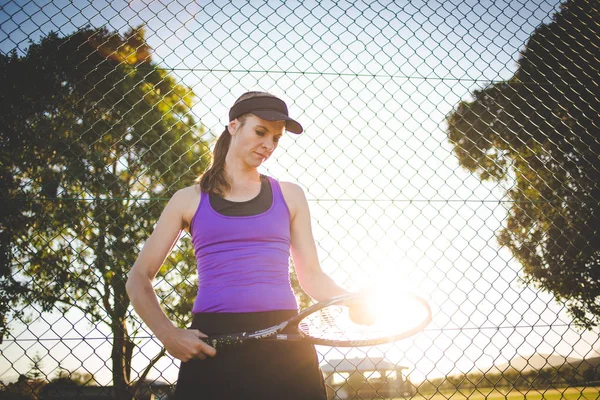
[(372, 83)]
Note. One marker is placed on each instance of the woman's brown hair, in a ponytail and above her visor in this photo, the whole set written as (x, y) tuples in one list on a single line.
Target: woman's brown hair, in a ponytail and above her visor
[(215, 180)]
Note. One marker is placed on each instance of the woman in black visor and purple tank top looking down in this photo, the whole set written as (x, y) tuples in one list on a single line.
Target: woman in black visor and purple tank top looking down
[(243, 226)]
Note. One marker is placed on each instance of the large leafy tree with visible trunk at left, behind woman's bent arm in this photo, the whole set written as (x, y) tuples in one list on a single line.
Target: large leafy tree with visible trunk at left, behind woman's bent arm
[(94, 139)]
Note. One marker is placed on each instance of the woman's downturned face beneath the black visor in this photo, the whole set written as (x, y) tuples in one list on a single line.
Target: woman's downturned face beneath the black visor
[(255, 140)]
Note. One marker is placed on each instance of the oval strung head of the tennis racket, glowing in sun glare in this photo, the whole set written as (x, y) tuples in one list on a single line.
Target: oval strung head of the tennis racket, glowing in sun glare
[(395, 316)]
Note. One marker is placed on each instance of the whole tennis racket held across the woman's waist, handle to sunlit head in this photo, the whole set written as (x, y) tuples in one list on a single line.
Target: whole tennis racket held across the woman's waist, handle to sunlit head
[(350, 320)]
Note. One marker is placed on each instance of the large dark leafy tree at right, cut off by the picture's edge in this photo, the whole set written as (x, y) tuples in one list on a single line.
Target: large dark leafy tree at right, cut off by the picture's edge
[(541, 130)]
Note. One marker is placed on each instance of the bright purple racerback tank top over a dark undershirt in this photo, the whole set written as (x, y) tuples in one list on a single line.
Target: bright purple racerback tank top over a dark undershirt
[(243, 261)]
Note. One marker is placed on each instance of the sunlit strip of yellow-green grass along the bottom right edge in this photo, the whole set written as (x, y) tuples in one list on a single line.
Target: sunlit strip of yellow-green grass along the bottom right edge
[(572, 393)]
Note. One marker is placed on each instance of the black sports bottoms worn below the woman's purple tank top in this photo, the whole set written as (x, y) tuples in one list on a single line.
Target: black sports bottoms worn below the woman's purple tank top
[(256, 370)]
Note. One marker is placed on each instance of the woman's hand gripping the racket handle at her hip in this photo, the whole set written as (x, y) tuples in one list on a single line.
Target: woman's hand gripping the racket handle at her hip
[(187, 344)]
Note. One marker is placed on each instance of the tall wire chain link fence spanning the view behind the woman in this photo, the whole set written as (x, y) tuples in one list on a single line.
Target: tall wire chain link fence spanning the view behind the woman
[(451, 149)]
